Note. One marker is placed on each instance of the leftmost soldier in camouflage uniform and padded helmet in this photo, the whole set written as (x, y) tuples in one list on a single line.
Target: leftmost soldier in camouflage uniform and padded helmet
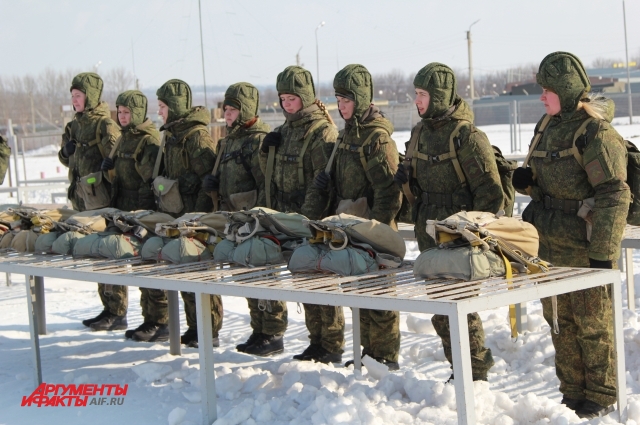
[(86, 141)]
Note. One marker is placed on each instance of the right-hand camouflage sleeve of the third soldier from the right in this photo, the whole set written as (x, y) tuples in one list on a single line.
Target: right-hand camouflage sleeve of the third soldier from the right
[(381, 167)]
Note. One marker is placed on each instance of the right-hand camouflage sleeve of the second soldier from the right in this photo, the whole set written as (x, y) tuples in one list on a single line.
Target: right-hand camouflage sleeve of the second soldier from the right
[(478, 164)]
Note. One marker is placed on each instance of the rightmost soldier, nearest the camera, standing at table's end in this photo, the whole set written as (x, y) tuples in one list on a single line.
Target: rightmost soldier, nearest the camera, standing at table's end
[(557, 183)]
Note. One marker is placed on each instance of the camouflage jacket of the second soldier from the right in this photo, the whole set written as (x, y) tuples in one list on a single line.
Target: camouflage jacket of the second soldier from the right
[(482, 190)]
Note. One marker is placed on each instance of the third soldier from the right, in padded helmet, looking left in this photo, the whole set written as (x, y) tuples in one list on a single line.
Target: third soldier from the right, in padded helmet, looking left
[(366, 176)]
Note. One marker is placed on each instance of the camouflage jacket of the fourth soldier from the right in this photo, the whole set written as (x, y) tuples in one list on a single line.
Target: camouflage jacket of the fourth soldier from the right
[(295, 196)]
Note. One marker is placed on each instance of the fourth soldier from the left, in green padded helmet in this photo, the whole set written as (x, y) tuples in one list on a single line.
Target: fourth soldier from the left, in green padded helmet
[(239, 183)]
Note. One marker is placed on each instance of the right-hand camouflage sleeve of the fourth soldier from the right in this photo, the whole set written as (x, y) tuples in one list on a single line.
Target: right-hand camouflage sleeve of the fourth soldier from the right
[(316, 201)]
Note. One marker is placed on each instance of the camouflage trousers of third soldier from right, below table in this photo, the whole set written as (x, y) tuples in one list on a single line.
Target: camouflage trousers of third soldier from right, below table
[(380, 333)]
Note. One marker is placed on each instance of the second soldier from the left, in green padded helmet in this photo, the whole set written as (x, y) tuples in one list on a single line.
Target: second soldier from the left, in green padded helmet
[(133, 164)]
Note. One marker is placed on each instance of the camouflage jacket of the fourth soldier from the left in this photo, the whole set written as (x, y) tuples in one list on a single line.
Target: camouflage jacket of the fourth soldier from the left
[(239, 168)]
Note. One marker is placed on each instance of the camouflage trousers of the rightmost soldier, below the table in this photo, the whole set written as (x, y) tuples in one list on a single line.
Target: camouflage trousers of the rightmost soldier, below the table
[(585, 360)]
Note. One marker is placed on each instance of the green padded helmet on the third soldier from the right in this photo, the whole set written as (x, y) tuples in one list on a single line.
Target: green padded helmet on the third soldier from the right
[(354, 82)]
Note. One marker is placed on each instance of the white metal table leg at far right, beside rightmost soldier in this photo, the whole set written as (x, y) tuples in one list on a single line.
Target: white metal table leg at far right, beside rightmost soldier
[(618, 338)]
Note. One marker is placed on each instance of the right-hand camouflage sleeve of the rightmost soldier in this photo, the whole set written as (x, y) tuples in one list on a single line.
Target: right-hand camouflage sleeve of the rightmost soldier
[(605, 162)]
